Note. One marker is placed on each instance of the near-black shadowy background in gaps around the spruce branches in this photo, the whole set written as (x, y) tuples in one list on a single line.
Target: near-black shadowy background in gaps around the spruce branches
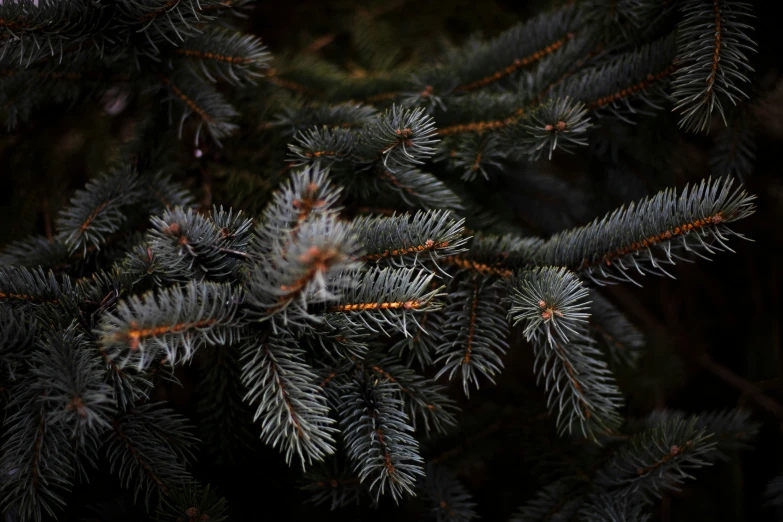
[(729, 308)]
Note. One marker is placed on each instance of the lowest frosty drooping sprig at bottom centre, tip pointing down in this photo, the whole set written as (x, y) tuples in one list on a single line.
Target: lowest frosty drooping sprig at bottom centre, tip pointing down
[(377, 438)]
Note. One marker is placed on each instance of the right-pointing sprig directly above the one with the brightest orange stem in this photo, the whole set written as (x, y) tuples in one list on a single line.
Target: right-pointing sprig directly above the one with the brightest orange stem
[(432, 235)]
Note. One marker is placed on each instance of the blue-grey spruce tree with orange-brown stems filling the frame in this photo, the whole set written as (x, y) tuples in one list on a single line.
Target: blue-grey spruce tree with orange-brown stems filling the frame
[(280, 256)]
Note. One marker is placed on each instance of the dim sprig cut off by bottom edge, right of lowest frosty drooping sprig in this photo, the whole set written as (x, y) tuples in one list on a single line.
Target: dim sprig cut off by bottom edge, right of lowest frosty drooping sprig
[(449, 500)]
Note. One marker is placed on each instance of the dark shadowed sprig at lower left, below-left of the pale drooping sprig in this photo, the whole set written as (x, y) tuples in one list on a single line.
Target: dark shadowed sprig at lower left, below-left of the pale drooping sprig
[(148, 447)]
